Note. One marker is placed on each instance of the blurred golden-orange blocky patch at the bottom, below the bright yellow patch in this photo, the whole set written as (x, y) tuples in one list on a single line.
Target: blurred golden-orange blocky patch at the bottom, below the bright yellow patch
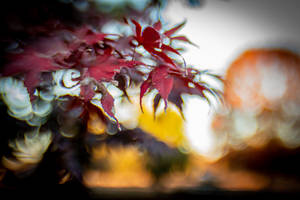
[(125, 168)]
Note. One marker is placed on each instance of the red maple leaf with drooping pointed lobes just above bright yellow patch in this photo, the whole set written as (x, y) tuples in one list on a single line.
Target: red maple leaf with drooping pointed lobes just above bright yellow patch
[(171, 84)]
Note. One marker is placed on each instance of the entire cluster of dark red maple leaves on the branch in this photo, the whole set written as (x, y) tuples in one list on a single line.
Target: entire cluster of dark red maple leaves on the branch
[(86, 60)]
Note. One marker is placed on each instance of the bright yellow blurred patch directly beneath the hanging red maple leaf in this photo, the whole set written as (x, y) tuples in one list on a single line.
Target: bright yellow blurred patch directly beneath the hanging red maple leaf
[(167, 126)]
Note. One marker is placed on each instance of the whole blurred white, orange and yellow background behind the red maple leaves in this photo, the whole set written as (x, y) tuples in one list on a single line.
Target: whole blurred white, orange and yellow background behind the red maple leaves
[(248, 142)]
